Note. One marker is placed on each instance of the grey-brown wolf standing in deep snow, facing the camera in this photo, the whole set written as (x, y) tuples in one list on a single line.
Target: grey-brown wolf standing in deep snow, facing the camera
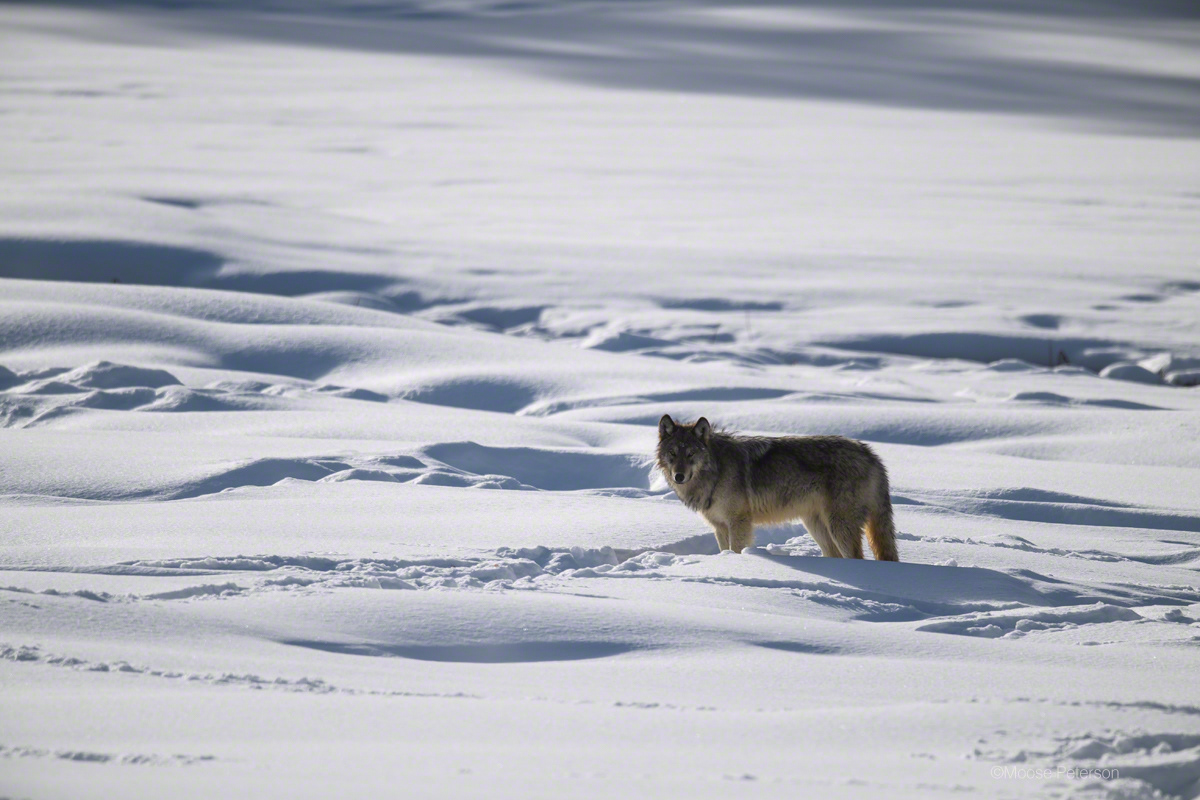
[(837, 486)]
